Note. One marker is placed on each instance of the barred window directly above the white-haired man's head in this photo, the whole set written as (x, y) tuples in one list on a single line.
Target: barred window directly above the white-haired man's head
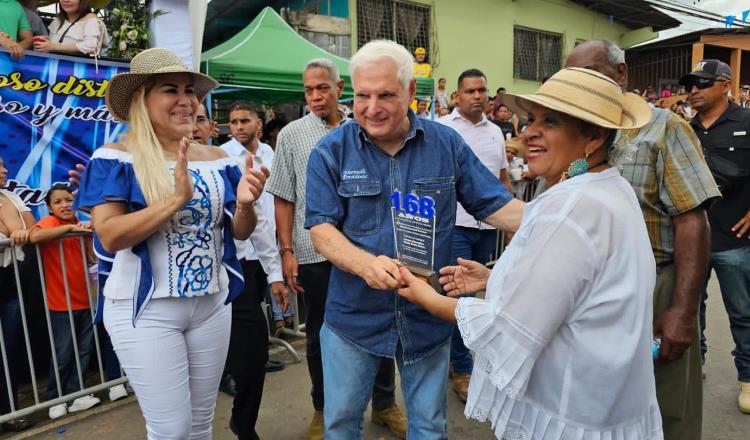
[(406, 23)]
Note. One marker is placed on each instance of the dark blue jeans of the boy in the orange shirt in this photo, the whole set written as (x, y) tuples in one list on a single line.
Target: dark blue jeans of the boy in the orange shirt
[(66, 362)]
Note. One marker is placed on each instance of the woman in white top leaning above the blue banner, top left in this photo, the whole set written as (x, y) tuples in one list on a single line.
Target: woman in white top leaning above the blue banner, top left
[(76, 29)]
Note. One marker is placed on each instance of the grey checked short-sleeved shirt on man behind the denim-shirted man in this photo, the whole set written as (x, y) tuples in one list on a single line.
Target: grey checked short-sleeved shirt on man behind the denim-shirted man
[(289, 176)]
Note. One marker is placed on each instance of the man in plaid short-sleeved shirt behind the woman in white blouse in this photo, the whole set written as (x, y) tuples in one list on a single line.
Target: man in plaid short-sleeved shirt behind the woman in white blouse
[(663, 163)]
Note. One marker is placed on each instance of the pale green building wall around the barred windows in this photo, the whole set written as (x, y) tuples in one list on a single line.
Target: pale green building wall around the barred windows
[(479, 33)]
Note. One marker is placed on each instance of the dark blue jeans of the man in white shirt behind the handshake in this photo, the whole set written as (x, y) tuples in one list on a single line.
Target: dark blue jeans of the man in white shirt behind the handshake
[(470, 244)]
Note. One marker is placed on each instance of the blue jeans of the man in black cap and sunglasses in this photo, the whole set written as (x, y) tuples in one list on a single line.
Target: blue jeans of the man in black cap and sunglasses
[(733, 271)]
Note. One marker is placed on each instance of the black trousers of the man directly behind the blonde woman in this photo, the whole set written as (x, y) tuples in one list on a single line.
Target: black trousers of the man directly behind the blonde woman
[(248, 350)]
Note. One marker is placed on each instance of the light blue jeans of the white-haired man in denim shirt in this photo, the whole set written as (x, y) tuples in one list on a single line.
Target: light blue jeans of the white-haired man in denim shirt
[(349, 373)]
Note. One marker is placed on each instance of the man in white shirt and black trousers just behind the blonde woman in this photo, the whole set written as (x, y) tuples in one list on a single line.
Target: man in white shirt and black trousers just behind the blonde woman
[(261, 265)]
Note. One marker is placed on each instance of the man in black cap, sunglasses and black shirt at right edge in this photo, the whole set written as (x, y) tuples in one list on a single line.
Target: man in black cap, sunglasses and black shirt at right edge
[(723, 128)]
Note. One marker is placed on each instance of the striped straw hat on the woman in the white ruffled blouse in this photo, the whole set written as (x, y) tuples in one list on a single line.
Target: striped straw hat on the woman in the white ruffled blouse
[(587, 95)]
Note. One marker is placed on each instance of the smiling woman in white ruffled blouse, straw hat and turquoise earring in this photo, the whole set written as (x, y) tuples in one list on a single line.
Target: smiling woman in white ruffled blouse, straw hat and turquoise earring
[(563, 339)]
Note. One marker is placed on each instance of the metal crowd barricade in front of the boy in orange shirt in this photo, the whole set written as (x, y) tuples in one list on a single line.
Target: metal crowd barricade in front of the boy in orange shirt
[(38, 404)]
